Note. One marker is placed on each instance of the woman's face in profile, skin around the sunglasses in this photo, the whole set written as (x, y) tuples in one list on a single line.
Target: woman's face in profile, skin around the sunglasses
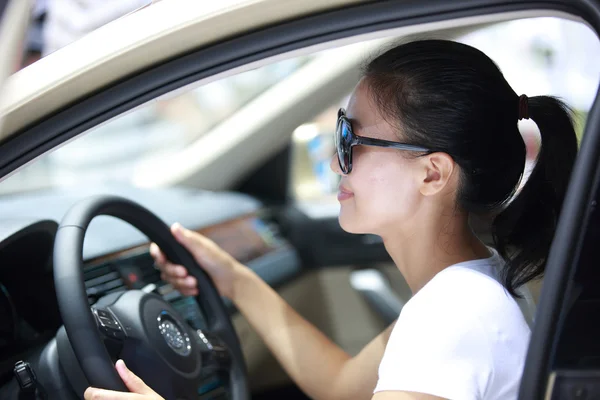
[(381, 194)]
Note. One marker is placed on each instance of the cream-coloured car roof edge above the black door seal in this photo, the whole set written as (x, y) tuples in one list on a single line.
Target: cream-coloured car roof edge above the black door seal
[(132, 43)]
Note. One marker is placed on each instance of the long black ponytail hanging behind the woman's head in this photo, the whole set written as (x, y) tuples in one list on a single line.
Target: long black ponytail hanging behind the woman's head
[(523, 232)]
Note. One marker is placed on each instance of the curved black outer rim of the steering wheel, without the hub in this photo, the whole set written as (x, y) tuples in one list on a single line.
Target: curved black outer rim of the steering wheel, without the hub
[(78, 319)]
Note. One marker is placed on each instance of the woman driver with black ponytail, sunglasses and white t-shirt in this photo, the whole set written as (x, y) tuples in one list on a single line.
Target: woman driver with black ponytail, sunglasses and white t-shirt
[(429, 138)]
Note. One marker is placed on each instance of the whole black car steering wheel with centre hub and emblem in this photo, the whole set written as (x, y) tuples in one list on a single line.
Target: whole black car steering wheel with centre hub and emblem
[(142, 328)]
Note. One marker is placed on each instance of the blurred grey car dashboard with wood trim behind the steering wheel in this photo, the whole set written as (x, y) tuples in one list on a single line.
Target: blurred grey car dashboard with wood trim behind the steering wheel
[(116, 256)]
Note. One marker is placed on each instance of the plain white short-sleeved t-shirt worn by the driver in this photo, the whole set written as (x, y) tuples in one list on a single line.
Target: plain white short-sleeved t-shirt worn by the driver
[(461, 337)]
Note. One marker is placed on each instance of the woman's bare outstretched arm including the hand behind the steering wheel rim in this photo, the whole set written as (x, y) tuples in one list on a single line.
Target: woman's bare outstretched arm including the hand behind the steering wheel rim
[(318, 366)]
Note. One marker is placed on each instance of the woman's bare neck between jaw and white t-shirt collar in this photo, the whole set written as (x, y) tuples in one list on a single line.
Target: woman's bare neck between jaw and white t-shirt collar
[(440, 242)]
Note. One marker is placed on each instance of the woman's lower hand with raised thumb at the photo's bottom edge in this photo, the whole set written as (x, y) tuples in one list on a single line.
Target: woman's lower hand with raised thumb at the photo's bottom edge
[(139, 390)]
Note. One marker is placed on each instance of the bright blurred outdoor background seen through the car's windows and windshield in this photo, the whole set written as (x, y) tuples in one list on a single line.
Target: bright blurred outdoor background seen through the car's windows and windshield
[(538, 56)]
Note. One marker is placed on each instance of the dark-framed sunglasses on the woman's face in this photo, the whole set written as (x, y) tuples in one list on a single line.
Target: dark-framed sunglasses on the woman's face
[(345, 140)]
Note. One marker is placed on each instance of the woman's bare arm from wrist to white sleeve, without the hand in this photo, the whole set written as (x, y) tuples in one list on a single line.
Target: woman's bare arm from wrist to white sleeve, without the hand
[(317, 365)]
